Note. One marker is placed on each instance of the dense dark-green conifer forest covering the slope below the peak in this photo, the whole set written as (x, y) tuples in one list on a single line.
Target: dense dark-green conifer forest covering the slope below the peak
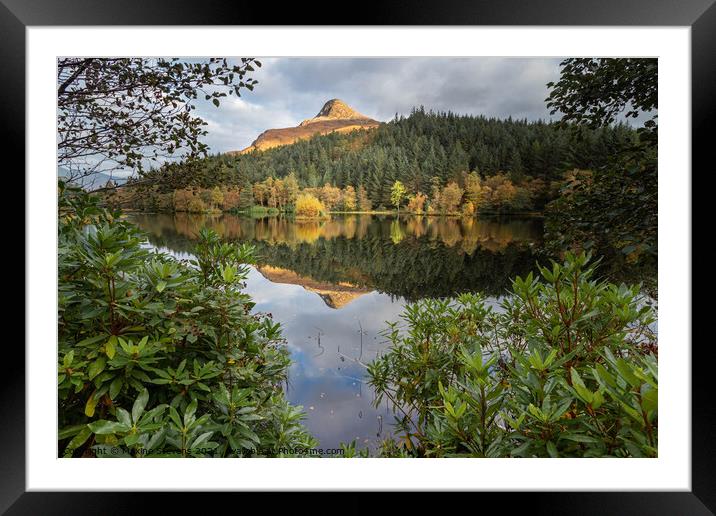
[(424, 150)]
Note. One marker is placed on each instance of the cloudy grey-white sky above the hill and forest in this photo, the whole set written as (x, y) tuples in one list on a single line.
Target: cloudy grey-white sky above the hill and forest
[(291, 90)]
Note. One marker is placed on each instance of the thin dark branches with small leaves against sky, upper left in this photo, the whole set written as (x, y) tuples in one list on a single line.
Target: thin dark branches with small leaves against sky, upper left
[(130, 113)]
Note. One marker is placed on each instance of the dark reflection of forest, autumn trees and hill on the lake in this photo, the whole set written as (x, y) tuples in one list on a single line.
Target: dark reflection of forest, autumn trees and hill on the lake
[(344, 258)]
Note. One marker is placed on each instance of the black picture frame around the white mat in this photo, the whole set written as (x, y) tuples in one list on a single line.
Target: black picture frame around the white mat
[(700, 15)]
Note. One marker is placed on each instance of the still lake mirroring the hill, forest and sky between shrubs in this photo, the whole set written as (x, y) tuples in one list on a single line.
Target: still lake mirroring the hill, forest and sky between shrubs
[(333, 285)]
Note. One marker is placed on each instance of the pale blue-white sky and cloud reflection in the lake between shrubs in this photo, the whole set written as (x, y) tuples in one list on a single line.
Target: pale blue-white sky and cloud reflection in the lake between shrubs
[(328, 348)]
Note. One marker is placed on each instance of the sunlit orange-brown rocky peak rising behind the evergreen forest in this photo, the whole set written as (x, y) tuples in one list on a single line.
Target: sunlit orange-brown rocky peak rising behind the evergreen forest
[(335, 116)]
